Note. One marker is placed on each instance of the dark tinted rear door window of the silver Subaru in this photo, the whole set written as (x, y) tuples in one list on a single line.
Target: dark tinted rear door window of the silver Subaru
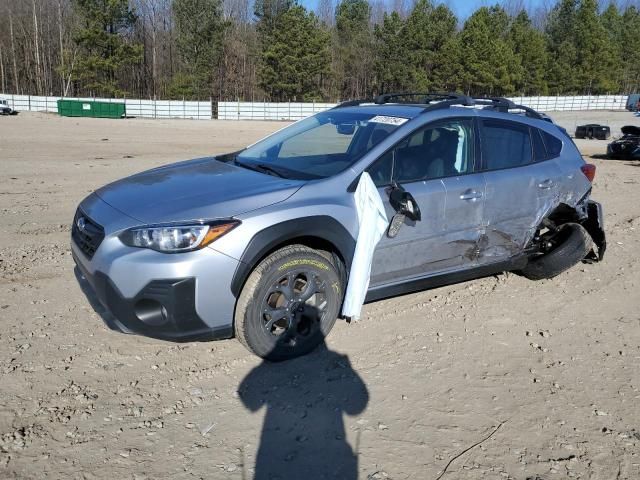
[(505, 145)]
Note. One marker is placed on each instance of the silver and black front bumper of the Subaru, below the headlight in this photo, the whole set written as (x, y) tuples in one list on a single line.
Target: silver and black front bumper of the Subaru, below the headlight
[(179, 297)]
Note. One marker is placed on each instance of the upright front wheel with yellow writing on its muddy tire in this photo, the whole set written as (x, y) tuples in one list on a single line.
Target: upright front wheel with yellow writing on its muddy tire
[(275, 317)]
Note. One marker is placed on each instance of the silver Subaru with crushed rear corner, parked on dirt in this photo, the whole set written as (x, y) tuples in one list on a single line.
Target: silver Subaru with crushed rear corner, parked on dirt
[(258, 243)]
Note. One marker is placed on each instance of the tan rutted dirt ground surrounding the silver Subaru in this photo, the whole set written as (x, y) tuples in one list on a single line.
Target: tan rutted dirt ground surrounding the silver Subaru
[(499, 378)]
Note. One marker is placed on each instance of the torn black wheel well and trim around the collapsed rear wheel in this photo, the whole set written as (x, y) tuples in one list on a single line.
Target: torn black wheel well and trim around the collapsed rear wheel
[(586, 213)]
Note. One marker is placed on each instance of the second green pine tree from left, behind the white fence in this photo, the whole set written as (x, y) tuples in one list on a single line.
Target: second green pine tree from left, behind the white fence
[(200, 33)]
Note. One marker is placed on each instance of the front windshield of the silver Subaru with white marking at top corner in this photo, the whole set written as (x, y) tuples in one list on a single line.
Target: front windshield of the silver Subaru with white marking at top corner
[(319, 146)]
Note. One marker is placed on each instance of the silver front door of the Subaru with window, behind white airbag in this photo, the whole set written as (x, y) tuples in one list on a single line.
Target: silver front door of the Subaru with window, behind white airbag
[(436, 166)]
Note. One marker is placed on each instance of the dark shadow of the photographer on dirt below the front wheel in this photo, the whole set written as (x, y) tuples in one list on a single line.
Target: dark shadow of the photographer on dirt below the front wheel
[(303, 436)]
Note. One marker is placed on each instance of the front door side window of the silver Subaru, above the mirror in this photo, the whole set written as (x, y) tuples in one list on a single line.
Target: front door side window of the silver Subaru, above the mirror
[(438, 150)]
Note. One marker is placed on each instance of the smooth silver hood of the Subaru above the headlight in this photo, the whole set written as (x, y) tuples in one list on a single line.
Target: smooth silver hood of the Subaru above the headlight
[(204, 188)]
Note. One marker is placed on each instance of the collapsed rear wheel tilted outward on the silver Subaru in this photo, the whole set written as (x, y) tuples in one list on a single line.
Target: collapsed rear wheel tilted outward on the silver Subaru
[(572, 244)]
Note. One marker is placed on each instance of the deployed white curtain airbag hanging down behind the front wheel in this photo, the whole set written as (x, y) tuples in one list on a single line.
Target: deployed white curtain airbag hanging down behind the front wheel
[(372, 223)]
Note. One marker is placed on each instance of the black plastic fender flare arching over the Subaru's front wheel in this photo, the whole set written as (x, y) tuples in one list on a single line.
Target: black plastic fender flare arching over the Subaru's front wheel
[(321, 227)]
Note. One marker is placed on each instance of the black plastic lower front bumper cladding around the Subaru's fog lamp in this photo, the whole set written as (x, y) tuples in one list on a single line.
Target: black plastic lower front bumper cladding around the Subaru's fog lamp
[(163, 309)]
